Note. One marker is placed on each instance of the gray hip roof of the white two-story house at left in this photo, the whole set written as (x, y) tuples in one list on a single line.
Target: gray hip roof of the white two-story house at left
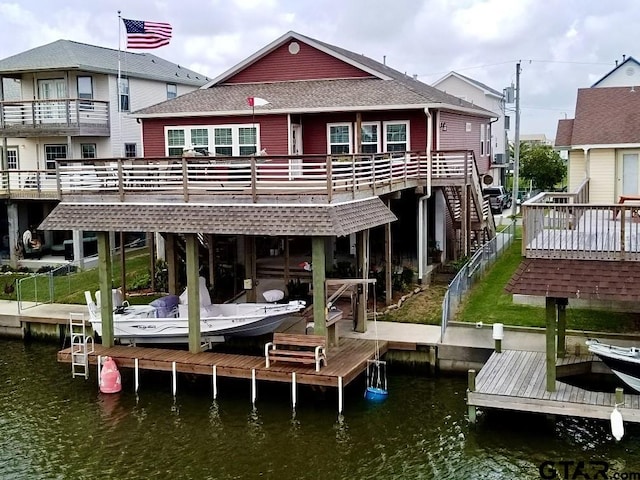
[(69, 55)]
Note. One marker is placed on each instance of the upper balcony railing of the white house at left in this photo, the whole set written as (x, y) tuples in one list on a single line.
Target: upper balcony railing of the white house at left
[(77, 115)]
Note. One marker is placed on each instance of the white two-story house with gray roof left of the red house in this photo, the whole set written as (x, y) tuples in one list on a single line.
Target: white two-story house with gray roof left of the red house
[(62, 101)]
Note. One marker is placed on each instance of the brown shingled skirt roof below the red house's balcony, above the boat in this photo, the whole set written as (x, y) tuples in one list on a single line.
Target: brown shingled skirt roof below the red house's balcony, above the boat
[(241, 219)]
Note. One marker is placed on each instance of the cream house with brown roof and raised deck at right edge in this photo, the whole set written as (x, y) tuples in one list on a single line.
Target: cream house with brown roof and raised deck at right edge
[(582, 248)]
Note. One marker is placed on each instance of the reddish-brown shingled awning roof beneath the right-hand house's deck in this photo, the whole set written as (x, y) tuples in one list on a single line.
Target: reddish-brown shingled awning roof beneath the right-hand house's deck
[(584, 279)]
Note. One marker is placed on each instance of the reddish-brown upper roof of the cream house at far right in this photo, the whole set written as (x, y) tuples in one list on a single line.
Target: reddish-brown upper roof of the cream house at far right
[(604, 116)]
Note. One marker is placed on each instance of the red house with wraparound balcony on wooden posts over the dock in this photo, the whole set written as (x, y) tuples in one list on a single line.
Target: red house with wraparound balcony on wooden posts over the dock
[(302, 143)]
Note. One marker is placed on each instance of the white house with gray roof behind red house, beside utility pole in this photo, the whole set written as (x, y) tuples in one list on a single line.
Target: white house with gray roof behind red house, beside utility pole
[(495, 157)]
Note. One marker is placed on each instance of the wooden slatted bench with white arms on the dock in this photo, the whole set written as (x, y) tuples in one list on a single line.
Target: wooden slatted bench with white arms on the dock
[(287, 347)]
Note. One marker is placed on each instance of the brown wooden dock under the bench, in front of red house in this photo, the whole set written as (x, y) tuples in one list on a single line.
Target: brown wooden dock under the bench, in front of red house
[(344, 363)]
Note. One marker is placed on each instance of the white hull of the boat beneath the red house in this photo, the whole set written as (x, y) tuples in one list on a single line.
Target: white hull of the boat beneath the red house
[(137, 325)]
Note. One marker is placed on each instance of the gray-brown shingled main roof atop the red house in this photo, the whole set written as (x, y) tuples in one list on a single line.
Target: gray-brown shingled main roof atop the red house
[(388, 89)]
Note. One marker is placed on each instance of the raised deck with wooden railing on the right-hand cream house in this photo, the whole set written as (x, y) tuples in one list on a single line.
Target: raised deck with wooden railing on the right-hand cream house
[(564, 226)]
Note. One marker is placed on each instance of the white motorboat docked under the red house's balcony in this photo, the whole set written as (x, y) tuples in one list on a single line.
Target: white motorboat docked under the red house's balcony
[(168, 323)]
